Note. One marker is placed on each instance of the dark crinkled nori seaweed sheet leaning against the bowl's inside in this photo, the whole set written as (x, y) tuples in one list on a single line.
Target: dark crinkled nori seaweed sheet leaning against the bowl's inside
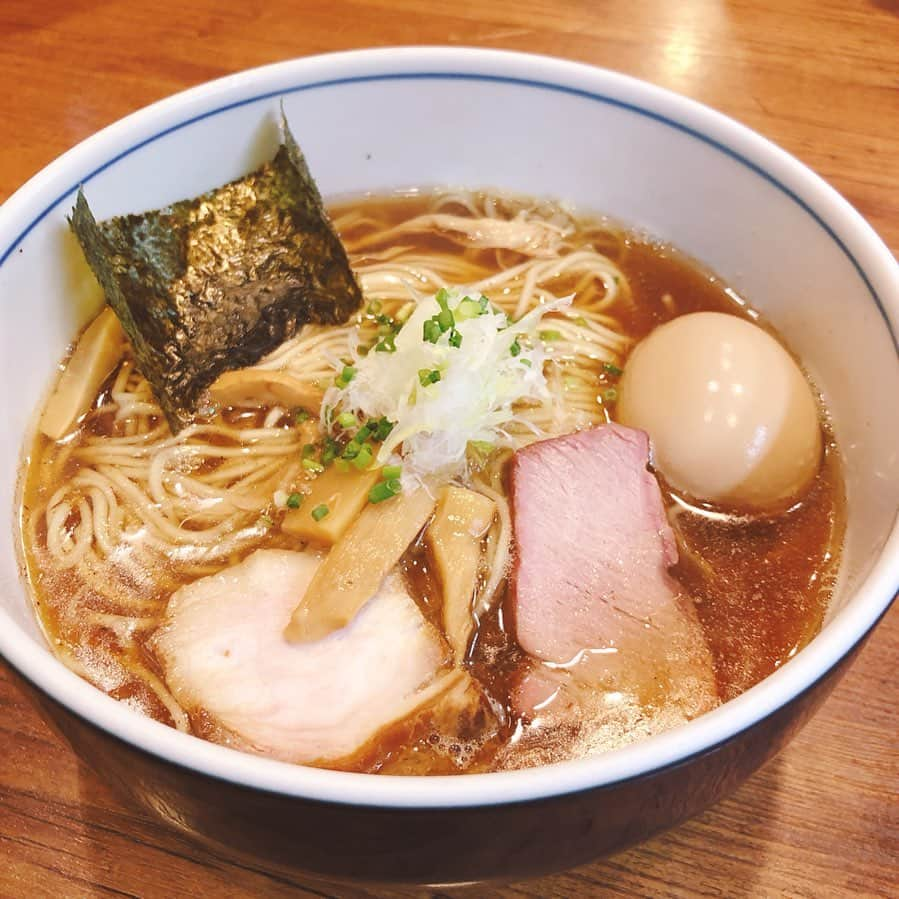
[(216, 282)]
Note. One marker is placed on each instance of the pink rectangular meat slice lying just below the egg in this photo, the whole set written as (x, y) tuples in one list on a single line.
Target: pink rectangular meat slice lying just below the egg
[(591, 590)]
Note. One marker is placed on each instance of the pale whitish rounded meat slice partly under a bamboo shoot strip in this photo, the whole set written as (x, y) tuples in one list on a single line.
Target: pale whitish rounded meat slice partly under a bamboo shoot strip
[(227, 663)]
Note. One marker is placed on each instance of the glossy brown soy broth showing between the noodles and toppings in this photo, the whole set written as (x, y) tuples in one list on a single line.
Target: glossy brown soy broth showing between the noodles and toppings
[(761, 584)]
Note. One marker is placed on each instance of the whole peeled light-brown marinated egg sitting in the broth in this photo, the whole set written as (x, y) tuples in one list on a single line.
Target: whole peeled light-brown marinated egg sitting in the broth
[(731, 417)]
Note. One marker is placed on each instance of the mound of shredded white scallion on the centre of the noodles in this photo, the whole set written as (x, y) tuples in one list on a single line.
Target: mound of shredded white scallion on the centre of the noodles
[(496, 365)]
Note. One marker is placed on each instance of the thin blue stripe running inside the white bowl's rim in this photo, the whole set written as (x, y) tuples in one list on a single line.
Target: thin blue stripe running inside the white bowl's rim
[(499, 79)]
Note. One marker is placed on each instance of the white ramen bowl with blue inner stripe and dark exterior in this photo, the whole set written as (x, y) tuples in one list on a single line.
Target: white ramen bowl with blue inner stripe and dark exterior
[(375, 121)]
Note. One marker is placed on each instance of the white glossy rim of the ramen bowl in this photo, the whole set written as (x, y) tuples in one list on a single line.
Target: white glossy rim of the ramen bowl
[(27, 207)]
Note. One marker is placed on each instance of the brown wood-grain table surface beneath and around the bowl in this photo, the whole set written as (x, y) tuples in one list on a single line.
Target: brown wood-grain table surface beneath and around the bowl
[(819, 77)]
